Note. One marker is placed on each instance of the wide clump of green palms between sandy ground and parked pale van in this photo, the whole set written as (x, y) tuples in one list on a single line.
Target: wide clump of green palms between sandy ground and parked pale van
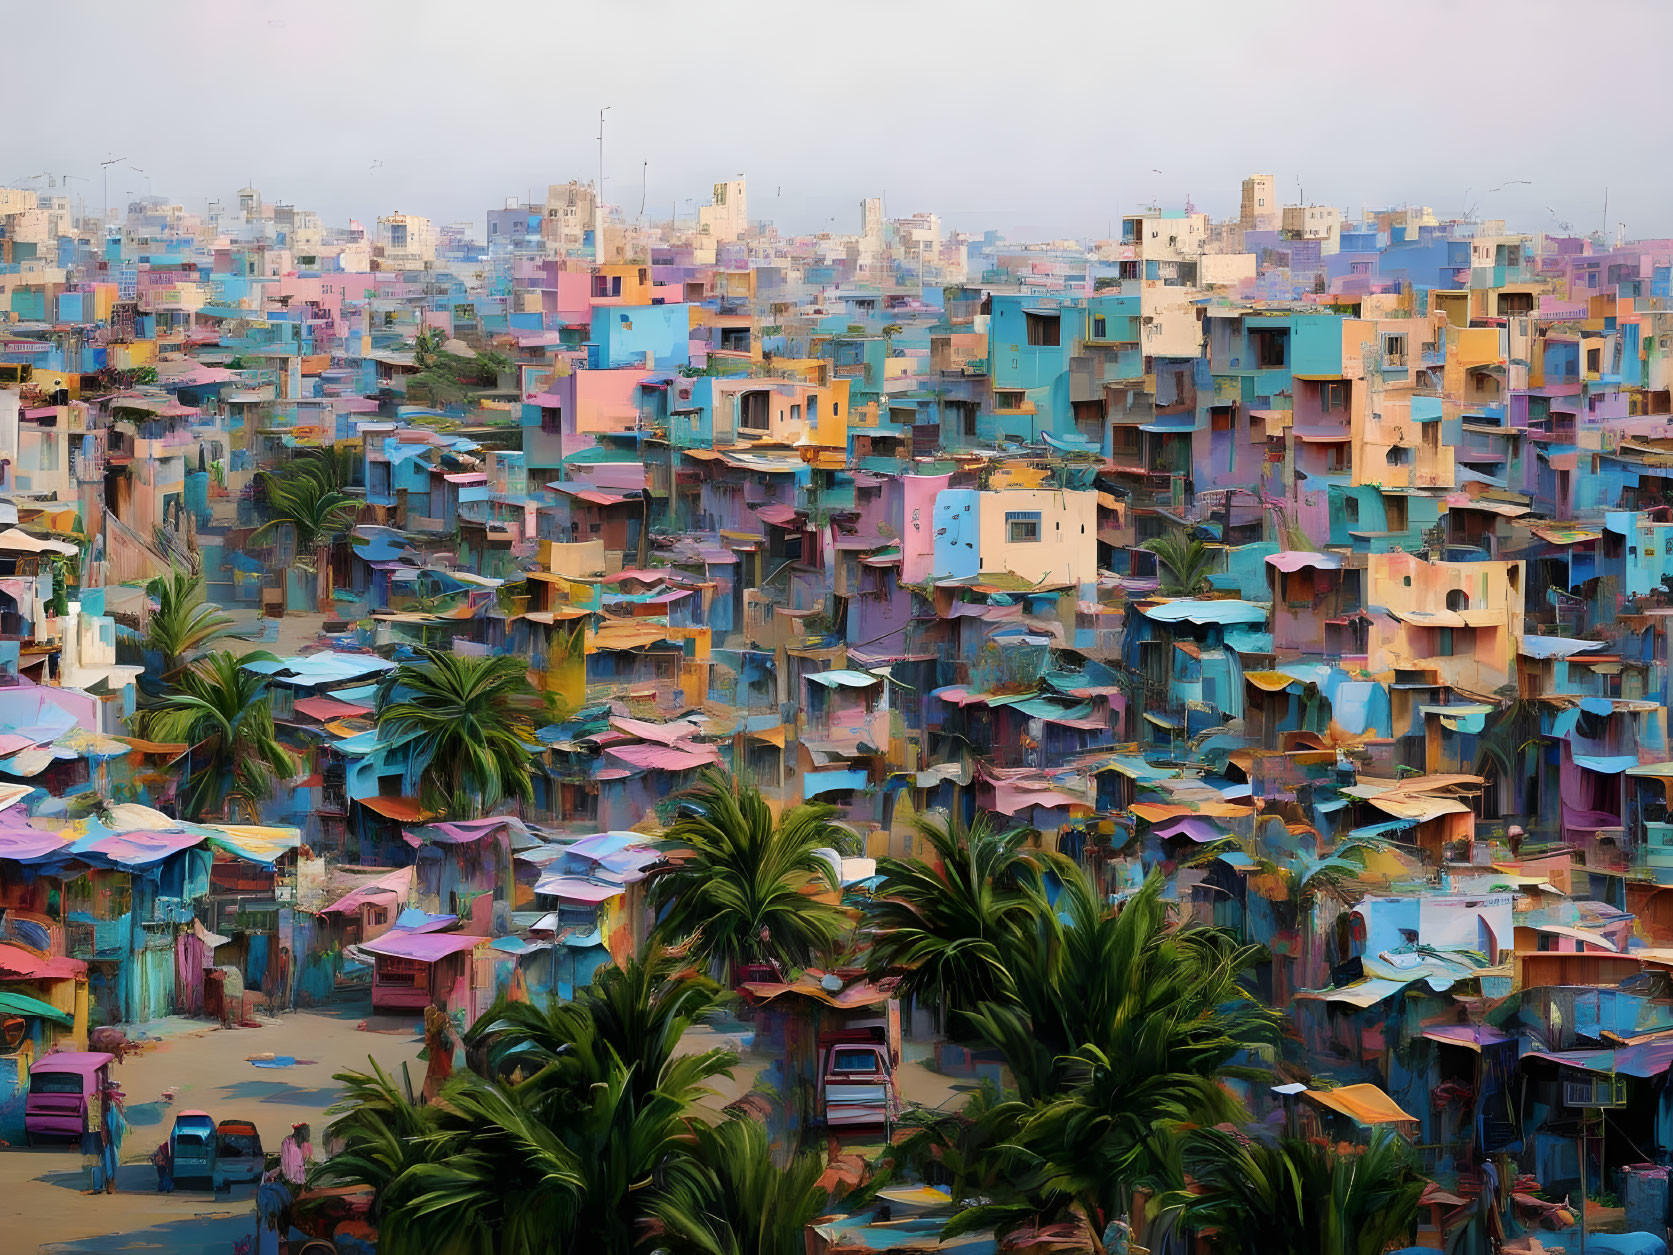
[(576, 1130)]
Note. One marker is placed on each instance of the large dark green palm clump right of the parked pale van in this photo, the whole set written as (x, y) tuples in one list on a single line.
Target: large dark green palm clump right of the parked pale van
[(1115, 1023)]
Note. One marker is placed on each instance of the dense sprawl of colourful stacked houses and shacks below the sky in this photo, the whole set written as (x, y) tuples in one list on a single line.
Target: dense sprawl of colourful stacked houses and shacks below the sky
[(1220, 548)]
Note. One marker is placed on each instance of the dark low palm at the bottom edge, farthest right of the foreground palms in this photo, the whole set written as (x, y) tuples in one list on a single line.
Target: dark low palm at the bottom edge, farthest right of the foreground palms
[(1296, 1197)]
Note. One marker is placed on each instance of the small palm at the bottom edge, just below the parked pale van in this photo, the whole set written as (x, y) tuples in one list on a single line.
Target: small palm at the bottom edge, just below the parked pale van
[(740, 1202)]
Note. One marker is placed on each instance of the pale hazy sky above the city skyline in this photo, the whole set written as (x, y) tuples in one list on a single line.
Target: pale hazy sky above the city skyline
[(1040, 118)]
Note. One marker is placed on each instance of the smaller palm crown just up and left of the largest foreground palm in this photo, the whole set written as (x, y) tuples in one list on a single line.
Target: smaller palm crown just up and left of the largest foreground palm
[(948, 923)]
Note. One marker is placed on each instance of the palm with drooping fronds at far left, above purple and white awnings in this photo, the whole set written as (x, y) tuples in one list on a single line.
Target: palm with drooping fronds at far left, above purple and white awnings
[(222, 710)]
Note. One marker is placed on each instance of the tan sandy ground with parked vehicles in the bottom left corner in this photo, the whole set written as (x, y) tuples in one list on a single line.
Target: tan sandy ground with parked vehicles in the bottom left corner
[(41, 1207)]
